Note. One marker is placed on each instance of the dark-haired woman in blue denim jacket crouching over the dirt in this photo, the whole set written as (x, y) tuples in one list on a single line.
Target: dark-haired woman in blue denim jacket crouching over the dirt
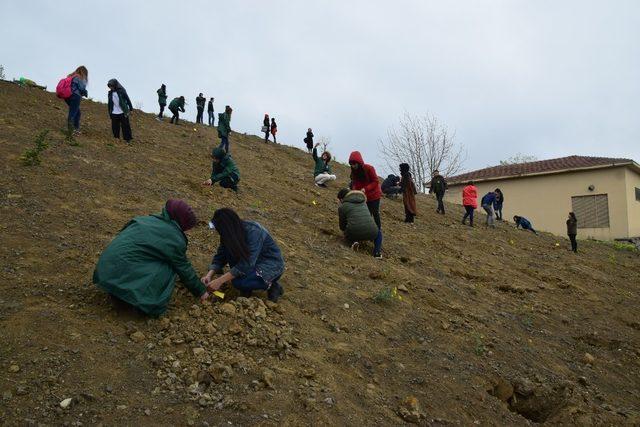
[(254, 258)]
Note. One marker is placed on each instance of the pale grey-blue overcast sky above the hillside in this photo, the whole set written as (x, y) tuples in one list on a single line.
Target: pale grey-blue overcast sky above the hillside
[(542, 77)]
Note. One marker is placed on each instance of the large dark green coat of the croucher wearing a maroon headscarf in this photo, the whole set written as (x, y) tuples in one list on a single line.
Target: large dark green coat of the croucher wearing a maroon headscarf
[(140, 265)]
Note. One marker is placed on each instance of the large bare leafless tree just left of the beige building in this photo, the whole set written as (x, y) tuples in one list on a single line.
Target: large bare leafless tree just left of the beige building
[(426, 145)]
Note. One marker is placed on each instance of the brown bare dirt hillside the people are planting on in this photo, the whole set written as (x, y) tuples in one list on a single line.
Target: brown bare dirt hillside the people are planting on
[(489, 327)]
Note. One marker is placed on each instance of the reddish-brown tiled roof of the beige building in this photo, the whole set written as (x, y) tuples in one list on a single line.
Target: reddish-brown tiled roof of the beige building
[(541, 166)]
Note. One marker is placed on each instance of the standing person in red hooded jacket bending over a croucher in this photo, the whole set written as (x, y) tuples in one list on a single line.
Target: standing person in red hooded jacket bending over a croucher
[(365, 179)]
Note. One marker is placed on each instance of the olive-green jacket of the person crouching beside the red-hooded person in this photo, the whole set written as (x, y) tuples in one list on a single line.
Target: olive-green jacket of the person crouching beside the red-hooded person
[(355, 220)]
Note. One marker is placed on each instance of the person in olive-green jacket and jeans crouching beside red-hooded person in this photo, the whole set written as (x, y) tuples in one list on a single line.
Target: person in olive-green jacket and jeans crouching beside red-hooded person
[(356, 221)]
